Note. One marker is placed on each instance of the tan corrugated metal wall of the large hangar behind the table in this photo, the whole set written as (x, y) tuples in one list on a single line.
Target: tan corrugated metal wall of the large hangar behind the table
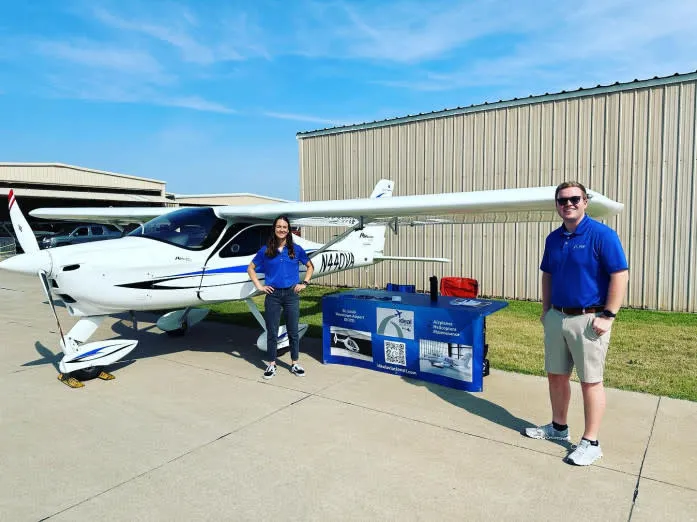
[(635, 145)]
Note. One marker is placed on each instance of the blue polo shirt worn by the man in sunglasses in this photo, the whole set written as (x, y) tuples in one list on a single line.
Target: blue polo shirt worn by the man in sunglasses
[(581, 262)]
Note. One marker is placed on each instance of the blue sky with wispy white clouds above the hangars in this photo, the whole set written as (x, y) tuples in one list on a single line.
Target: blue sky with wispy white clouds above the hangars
[(208, 95)]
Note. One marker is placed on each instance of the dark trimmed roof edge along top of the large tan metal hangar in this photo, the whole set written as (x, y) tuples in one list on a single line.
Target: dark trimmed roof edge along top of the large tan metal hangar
[(581, 91)]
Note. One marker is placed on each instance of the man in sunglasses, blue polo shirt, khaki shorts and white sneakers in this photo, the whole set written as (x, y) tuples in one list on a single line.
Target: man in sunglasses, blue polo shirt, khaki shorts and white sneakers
[(584, 279)]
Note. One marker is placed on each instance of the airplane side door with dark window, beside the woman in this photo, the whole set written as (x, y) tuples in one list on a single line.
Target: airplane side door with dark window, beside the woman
[(225, 274)]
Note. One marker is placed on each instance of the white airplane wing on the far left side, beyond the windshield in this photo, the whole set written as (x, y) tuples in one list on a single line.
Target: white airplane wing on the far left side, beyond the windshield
[(108, 215)]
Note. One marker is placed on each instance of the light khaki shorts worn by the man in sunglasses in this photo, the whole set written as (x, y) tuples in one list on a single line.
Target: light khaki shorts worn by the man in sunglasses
[(570, 341)]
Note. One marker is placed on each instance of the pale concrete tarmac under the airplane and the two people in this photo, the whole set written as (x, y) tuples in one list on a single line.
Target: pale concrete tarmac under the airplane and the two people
[(189, 430)]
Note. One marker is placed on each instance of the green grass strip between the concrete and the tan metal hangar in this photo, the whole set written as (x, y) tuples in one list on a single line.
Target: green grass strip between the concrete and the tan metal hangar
[(651, 352)]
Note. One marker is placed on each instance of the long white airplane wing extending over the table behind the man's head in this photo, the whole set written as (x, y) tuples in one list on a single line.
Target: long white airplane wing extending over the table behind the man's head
[(488, 206)]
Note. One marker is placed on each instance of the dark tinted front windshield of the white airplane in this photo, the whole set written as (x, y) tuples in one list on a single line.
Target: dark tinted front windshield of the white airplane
[(192, 228)]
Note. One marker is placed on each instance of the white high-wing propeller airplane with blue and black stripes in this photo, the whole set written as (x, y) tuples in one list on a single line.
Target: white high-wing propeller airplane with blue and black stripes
[(178, 259)]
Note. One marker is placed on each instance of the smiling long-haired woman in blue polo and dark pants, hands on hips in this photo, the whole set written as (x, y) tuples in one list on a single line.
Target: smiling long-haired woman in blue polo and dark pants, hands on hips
[(279, 260)]
